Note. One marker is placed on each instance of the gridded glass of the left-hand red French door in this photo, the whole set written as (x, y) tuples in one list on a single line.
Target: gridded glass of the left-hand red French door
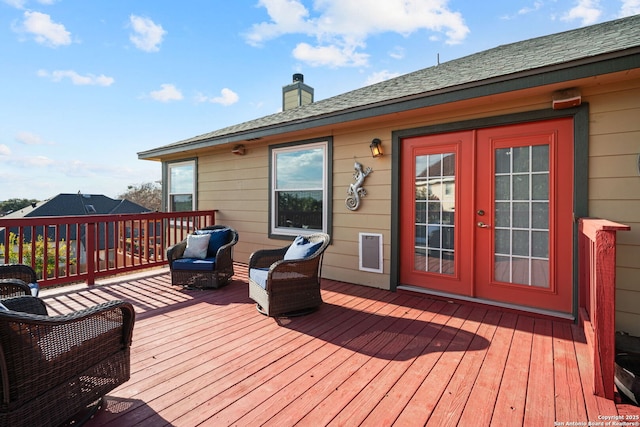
[(435, 185)]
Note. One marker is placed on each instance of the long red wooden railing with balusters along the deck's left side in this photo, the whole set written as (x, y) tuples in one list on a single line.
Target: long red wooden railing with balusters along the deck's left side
[(71, 249)]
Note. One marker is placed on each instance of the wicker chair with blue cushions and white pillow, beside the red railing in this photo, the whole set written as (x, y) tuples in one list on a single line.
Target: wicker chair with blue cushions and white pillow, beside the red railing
[(204, 259)]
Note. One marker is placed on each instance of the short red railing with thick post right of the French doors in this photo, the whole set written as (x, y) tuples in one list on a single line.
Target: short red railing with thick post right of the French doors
[(597, 293)]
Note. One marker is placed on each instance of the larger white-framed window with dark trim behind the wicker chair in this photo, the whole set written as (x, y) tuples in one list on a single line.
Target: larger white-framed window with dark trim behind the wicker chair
[(300, 199)]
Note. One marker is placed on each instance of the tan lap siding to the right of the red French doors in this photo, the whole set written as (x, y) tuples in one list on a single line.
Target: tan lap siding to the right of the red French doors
[(614, 186)]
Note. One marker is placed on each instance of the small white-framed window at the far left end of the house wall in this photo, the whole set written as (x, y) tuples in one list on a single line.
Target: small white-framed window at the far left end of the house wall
[(182, 184)]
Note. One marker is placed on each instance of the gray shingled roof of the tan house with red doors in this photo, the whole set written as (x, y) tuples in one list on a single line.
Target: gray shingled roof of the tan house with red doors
[(529, 57)]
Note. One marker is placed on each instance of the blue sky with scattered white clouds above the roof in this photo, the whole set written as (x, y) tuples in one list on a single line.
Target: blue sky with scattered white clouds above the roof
[(85, 85)]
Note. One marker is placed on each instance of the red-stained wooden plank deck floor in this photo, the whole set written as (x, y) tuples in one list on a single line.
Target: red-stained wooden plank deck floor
[(367, 357)]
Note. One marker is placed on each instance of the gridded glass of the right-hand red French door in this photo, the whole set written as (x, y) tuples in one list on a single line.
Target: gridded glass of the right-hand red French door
[(521, 206)]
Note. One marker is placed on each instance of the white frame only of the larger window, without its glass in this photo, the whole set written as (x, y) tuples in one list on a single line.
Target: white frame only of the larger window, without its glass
[(326, 202)]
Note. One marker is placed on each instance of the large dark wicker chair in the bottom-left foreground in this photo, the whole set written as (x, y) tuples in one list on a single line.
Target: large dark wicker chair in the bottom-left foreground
[(54, 367)]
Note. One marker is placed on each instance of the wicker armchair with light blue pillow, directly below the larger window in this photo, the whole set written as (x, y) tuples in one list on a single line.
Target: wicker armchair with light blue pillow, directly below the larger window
[(286, 281)]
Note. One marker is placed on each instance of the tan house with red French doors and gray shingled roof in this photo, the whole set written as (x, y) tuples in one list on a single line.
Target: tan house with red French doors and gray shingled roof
[(488, 162)]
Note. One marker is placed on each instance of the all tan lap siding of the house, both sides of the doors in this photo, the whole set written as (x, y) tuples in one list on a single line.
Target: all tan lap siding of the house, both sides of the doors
[(238, 185)]
